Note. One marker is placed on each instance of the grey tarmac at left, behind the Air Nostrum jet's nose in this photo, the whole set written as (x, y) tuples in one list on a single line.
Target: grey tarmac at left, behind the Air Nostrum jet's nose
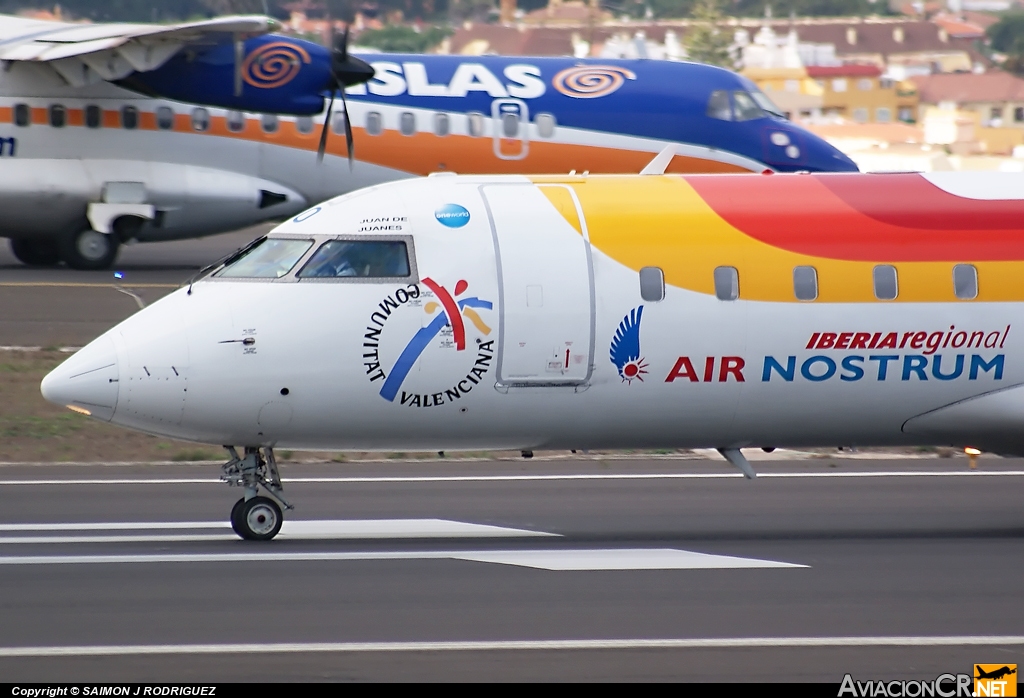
[(58, 307)]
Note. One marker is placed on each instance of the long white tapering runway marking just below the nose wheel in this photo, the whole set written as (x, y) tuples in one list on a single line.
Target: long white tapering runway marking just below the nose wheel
[(561, 560)]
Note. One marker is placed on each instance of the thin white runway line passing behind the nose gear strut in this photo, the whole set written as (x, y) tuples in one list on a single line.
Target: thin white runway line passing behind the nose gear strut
[(516, 478)]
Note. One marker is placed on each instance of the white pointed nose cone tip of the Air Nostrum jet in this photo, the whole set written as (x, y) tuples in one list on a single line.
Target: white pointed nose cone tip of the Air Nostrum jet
[(88, 381)]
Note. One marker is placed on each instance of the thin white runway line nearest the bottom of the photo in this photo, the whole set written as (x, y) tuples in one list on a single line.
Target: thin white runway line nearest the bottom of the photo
[(513, 645)]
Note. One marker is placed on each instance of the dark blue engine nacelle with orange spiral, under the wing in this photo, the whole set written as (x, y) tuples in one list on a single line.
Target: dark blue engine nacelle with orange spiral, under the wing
[(272, 74)]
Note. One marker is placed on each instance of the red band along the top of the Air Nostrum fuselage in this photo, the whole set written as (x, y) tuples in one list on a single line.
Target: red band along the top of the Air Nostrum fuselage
[(892, 219)]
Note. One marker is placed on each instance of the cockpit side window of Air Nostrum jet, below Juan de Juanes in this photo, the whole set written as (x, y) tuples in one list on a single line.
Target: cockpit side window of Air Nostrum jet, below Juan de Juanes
[(359, 259)]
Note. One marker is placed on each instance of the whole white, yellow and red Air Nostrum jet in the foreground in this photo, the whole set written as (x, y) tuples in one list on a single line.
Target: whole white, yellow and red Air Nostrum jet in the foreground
[(647, 312)]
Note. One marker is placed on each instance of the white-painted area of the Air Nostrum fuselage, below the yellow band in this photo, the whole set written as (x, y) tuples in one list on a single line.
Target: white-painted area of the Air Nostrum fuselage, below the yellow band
[(307, 364)]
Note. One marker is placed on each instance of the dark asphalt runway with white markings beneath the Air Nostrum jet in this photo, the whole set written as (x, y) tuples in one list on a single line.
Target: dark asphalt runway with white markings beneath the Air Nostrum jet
[(566, 570)]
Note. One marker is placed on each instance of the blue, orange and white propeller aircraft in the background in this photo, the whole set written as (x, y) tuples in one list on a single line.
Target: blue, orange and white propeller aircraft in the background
[(115, 134)]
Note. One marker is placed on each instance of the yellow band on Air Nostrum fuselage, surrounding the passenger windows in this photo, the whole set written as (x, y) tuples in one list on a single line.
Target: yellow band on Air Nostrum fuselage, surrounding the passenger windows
[(662, 222)]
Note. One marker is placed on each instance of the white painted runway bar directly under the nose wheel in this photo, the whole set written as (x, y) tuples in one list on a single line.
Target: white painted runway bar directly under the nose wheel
[(294, 531)]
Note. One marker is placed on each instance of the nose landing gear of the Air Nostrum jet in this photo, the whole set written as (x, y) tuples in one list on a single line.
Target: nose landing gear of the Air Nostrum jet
[(255, 517)]
